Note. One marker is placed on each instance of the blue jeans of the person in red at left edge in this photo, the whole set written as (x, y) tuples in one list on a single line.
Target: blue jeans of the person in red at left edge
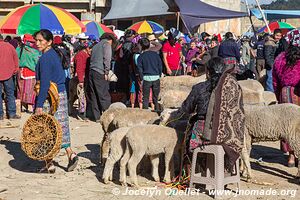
[(9, 89)]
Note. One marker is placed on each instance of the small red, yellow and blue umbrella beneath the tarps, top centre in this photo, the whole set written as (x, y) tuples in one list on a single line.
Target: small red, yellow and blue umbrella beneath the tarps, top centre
[(147, 27)]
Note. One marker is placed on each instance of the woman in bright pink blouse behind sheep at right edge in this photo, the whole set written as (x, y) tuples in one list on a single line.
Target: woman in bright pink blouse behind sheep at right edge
[(286, 82)]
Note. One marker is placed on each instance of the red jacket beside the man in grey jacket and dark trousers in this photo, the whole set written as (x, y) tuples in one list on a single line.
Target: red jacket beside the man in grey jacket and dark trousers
[(81, 60)]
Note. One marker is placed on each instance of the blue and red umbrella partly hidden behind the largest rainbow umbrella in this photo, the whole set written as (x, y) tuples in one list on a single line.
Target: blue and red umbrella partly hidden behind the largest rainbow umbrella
[(95, 28)]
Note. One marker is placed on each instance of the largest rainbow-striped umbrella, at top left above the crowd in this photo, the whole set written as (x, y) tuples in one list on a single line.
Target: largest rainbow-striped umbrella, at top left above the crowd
[(33, 17)]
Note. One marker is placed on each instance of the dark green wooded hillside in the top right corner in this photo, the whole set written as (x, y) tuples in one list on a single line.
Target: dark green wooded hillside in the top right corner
[(283, 5)]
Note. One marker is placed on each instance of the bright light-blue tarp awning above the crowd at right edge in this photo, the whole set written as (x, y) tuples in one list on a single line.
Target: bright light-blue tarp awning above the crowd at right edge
[(276, 14)]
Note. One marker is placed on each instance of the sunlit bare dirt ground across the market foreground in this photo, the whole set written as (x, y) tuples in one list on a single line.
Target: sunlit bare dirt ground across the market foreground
[(19, 180)]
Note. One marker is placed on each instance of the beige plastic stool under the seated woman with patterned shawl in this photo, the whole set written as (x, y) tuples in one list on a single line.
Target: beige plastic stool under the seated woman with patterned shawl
[(214, 174)]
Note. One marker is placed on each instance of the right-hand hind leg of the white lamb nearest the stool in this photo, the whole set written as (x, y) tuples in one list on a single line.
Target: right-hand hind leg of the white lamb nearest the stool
[(134, 160)]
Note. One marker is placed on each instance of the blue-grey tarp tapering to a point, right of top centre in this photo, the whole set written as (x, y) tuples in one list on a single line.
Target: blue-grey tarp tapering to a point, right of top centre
[(196, 12)]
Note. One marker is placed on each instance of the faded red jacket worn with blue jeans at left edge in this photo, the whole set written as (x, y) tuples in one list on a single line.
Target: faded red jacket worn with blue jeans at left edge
[(9, 61)]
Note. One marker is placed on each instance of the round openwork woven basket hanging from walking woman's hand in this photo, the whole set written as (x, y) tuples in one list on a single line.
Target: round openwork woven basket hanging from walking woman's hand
[(41, 137)]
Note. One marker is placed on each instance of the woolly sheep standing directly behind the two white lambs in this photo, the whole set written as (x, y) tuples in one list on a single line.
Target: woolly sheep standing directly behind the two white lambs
[(117, 118)]
